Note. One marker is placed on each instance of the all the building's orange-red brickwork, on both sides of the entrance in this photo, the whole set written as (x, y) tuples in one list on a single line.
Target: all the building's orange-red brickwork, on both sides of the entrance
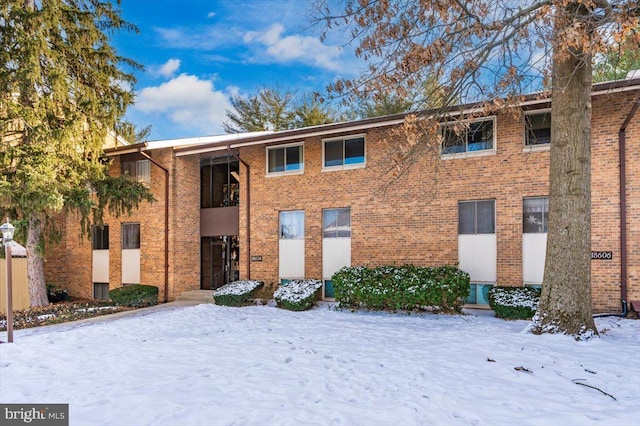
[(411, 220)]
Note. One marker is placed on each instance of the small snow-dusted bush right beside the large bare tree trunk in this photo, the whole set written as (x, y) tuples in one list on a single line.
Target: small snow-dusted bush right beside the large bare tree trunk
[(514, 302)]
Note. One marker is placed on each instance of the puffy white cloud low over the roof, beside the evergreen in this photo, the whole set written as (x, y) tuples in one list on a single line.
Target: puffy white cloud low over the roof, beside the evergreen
[(187, 101)]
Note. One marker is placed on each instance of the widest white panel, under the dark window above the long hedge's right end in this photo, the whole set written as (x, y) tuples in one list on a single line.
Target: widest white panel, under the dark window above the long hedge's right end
[(477, 255)]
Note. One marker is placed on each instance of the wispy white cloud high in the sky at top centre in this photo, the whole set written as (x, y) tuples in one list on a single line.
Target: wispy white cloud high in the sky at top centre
[(306, 49)]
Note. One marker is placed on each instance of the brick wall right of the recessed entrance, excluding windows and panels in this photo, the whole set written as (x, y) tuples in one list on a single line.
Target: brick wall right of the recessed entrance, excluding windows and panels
[(414, 220)]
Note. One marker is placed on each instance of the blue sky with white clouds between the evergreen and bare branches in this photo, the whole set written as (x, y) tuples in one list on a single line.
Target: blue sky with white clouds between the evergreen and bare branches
[(197, 53)]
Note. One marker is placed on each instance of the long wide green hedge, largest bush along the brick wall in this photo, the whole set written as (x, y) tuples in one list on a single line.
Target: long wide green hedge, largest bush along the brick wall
[(401, 287)]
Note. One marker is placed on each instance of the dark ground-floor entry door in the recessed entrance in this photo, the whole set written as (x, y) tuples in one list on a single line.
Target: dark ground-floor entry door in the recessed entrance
[(214, 263)]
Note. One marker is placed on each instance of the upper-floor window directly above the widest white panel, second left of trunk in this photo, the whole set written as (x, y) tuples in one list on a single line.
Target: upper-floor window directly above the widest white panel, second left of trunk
[(468, 137)]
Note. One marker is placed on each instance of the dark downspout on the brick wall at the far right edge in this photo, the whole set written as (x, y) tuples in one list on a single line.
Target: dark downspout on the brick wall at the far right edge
[(622, 148)]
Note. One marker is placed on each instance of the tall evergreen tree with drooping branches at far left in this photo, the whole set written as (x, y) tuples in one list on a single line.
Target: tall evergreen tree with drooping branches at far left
[(61, 88)]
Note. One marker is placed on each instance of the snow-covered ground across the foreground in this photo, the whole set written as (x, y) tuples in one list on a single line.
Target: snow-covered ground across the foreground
[(214, 365)]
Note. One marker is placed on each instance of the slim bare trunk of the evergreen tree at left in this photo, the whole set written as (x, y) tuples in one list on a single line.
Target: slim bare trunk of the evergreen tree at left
[(35, 264)]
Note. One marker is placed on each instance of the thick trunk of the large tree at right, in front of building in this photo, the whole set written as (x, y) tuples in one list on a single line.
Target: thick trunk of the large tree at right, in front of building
[(565, 304)]
